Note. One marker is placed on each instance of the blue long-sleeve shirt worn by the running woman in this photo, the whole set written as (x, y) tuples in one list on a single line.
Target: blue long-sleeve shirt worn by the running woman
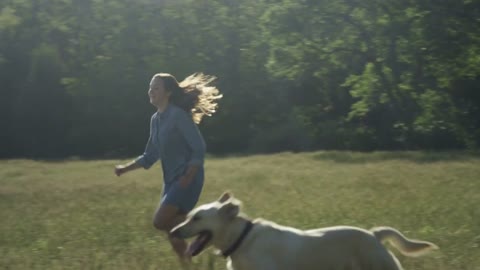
[(175, 140)]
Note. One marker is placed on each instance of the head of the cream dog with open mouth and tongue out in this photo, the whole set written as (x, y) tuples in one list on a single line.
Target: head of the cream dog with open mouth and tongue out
[(207, 222)]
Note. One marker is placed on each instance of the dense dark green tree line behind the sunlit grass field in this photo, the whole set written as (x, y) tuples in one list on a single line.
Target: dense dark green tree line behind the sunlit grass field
[(296, 74)]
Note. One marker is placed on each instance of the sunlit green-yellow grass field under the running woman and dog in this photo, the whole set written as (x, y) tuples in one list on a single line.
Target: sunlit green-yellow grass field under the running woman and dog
[(78, 215)]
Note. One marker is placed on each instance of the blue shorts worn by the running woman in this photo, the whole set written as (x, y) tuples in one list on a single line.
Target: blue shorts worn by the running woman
[(183, 198)]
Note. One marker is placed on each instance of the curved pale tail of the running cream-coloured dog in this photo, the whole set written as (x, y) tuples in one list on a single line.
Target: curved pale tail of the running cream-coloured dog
[(408, 247)]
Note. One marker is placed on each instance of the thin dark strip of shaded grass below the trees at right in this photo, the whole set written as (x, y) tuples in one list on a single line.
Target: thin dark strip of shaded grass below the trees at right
[(413, 156)]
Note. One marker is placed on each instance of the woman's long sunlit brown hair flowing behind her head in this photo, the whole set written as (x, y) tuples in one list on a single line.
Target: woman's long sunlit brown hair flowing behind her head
[(194, 94)]
